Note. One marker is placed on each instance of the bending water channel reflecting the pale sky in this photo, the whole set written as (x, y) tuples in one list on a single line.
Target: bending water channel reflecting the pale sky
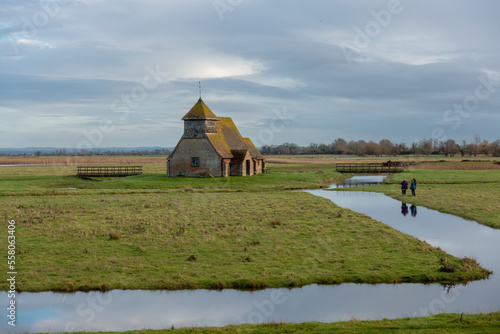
[(135, 309)]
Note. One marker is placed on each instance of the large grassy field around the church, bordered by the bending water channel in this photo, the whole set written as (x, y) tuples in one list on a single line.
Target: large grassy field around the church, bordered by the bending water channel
[(153, 232)]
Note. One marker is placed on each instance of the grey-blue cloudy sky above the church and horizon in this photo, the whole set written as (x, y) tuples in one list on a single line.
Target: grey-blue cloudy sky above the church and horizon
[(96, 73)]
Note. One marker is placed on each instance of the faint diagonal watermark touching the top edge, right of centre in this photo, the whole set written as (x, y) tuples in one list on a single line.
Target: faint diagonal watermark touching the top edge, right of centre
[(363, 37)]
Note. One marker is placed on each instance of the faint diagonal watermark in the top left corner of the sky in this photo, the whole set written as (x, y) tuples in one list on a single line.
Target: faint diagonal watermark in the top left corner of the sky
[(32, 24)]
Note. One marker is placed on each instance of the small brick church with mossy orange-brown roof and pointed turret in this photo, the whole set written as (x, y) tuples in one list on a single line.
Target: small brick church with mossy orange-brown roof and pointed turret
[(213, 146)]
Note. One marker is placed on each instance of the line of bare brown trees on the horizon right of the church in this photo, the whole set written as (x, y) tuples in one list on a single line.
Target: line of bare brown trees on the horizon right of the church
[(386, 147)]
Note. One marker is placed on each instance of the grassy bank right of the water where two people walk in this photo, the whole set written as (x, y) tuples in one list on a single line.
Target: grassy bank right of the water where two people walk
[(471, 194)]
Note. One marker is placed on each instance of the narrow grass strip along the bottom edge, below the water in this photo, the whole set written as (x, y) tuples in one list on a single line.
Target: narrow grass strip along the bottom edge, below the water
[(437, 324)]
